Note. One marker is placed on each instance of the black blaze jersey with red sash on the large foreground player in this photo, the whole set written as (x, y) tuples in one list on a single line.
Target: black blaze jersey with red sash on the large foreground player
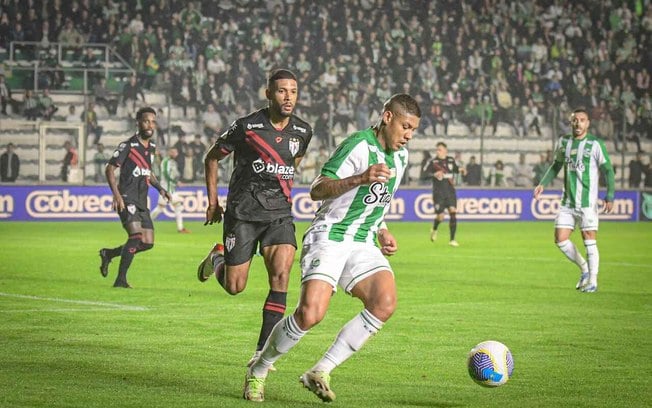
[(263, 172)]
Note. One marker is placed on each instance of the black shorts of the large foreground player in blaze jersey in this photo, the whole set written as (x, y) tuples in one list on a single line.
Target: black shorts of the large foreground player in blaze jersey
[(242, 238)]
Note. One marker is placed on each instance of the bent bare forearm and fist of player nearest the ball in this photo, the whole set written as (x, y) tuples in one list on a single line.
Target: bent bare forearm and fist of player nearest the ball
[(324, 188)]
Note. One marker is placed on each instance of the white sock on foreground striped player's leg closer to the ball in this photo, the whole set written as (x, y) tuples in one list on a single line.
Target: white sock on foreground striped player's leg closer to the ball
[(349, 340)]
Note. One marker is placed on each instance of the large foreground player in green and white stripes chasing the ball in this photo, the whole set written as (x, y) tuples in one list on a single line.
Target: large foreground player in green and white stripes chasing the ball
[(339, 248)]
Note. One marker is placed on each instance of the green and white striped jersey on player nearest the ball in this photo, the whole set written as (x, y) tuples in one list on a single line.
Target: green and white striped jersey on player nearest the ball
[(357, 214)]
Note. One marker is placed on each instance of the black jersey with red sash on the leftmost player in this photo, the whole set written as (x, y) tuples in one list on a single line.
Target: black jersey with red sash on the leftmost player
[(135, 162)]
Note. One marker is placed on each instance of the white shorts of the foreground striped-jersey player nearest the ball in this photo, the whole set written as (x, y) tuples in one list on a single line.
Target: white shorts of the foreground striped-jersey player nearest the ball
[(341, 263)]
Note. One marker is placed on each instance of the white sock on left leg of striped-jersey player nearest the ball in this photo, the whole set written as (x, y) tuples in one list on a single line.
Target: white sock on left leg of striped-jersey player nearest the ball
[(285, 335)]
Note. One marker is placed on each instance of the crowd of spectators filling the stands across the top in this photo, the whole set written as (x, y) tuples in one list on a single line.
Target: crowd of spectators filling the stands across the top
[(480, 62)]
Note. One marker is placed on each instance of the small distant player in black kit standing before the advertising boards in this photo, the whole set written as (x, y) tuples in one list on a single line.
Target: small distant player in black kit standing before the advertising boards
[(443, 169)]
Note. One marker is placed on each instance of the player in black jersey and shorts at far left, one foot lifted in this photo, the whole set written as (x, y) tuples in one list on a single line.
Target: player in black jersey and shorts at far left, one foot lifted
[(134, 157)]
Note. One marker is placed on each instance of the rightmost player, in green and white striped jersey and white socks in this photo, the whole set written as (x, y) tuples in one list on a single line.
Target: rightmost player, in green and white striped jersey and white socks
[(582, 156)]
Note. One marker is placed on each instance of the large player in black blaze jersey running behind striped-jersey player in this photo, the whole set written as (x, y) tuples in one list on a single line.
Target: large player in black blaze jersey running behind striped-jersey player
[(268, 145)]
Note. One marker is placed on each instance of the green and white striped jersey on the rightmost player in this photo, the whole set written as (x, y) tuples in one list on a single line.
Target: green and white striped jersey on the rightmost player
[(582, 160)]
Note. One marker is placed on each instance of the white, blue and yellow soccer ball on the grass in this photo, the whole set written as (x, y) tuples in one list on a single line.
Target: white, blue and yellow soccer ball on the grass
[(490, 363)]
